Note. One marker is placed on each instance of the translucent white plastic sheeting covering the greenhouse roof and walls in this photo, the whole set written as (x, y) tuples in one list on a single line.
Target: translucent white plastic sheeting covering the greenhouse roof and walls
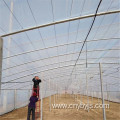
[(52, 52)]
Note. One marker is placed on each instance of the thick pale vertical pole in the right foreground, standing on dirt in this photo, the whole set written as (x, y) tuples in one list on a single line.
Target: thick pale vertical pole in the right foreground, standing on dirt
[(102, 95)]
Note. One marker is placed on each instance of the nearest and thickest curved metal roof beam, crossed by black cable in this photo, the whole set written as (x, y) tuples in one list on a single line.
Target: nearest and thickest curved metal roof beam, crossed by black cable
[(62, 21)]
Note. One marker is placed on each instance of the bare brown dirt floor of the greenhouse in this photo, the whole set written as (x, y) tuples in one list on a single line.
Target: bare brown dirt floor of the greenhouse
[(112, 113)]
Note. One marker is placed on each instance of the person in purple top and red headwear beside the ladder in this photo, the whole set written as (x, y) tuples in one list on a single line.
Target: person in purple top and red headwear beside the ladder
[(31, 107)]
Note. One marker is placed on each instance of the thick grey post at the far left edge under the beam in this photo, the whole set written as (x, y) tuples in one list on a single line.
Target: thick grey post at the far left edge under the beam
[(1, 54)]
